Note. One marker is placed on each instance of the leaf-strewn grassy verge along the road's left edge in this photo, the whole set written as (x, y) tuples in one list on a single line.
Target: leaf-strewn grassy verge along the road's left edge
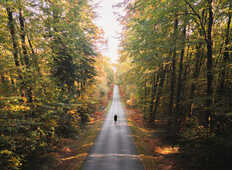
[(75, 151)]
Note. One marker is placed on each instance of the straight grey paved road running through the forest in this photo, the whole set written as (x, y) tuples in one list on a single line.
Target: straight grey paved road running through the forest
[(114, 148)]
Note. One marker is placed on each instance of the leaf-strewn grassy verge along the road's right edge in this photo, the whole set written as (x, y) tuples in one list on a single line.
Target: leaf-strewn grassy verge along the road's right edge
[(153, 152)]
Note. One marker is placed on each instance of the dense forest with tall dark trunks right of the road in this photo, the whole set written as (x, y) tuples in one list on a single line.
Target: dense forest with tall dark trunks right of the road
[(175, 66)]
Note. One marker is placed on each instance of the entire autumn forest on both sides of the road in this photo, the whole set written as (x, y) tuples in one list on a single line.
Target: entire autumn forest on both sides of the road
[(174, 67)]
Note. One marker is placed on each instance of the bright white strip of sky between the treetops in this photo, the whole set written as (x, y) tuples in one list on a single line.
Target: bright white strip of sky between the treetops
[(107, 20)]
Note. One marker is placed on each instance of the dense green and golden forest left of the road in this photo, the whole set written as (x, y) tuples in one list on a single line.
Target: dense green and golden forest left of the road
[(52, 77)]
